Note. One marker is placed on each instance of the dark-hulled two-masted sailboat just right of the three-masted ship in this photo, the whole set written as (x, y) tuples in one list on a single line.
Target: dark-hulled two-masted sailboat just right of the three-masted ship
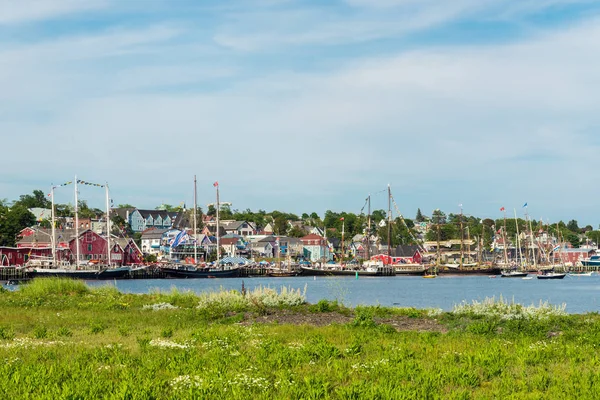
[(193, 270)]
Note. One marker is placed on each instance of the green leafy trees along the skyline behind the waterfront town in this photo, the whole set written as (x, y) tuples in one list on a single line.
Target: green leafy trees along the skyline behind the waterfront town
[(14, 216)]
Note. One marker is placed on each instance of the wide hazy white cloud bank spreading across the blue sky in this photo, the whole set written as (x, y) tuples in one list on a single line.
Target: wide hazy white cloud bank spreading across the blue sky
[(441, 122)]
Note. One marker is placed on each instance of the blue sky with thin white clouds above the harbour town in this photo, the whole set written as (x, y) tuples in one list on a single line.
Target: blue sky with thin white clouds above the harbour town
[(306, 106)]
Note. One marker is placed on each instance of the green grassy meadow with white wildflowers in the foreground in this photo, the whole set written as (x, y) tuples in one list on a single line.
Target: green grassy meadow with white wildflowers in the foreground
[(61, 339)]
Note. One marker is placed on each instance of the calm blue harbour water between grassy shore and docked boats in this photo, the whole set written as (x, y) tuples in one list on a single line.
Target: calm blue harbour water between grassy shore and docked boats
[(581, 294)]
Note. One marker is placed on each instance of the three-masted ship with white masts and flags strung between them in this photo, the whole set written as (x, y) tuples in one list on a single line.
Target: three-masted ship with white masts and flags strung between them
[(50, 267)]
